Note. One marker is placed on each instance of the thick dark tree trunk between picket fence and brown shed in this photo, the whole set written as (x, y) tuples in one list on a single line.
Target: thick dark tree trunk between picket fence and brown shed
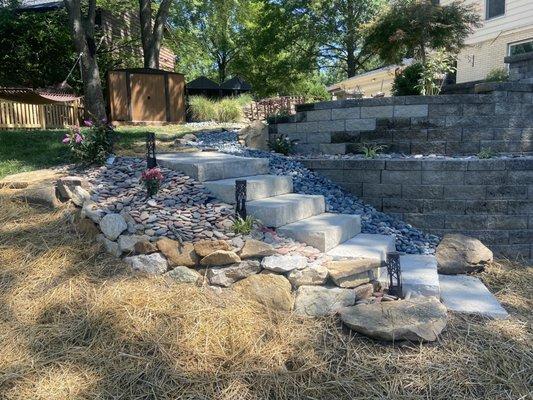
[(82, 26)]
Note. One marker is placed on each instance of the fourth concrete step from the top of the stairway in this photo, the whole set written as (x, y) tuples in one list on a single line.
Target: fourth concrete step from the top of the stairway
[(323, 231)]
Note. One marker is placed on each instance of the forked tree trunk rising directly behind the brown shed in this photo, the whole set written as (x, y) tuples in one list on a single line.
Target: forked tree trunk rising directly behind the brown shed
[(152, 30)]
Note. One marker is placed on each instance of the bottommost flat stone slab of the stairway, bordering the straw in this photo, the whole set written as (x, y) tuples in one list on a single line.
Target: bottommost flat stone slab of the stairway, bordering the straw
[(468, 295)]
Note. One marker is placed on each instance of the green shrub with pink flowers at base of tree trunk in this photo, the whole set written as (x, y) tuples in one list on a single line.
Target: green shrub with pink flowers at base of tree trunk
[(92, 146)]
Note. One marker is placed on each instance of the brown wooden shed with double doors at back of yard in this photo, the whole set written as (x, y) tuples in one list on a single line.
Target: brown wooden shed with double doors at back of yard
[(146, 95)]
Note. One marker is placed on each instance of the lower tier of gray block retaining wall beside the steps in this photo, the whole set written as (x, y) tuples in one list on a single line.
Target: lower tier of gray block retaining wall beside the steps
[(488, 199)]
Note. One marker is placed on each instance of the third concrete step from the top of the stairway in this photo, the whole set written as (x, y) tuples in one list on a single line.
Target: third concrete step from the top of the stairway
[(285, 209)]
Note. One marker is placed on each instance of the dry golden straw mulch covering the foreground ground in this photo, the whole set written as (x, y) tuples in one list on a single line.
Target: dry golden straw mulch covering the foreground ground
[(75, 324)]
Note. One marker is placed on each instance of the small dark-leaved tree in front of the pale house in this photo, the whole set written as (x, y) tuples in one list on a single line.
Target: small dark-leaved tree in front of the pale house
[(414, 28)]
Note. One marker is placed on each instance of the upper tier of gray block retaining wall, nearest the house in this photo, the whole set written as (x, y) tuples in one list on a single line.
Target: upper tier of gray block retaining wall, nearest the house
[(446, 124)]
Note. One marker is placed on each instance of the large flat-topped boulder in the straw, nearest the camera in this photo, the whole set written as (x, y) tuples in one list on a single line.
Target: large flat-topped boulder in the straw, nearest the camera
[(417, 319)]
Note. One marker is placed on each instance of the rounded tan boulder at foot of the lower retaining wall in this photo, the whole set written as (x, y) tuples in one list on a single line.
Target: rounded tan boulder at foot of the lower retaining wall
[(460, 254)]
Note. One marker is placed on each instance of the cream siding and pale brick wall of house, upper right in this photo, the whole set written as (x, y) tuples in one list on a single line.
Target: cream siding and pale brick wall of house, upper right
[(487, 47)]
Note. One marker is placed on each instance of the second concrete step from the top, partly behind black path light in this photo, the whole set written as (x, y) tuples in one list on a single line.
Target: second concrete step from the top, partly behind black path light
[(257, 187)]
